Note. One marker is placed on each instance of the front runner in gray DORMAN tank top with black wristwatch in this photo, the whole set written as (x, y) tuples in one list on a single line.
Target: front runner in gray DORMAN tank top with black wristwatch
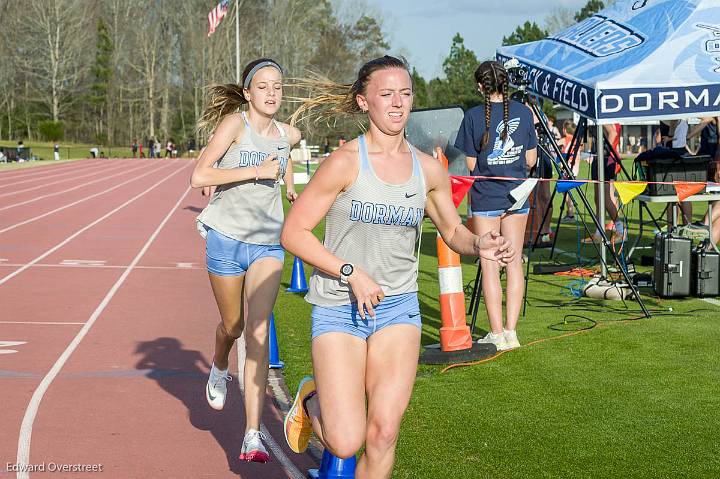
[(373, 192)]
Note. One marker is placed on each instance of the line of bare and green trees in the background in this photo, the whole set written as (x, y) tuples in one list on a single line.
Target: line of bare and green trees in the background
[(111, 71)]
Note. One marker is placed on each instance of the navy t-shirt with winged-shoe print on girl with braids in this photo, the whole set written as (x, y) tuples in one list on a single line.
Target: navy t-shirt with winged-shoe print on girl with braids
[(498, 158)]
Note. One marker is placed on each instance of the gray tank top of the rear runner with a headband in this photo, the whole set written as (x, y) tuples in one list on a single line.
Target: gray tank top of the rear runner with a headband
[(249, 211)]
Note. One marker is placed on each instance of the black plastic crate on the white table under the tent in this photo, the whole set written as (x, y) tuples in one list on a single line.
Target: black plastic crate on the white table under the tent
[(686, 168)]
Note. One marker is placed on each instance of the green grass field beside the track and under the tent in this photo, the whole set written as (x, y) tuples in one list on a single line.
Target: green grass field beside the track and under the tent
[(631, 397)]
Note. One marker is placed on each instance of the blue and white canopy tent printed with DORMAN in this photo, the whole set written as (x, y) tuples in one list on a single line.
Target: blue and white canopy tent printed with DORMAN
[(635, 60)]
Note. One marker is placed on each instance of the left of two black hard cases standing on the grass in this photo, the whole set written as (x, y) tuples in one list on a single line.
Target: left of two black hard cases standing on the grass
[(671, 273)]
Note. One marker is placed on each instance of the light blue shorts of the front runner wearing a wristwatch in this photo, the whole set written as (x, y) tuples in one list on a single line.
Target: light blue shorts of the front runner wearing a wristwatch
[(397, 309)]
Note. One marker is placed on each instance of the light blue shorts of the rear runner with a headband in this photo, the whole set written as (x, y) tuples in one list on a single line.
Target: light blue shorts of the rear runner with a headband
[(230, 257)]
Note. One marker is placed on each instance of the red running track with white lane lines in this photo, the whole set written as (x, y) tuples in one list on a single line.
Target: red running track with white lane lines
[(106, 329)]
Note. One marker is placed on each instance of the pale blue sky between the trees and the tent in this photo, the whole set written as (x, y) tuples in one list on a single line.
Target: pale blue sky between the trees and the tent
[(422, 30)]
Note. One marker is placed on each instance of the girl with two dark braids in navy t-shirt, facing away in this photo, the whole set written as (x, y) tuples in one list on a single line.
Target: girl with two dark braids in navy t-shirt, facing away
[(499, 140)]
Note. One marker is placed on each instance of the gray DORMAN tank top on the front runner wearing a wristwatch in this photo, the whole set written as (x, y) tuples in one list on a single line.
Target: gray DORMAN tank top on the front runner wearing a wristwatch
[(374, 225)]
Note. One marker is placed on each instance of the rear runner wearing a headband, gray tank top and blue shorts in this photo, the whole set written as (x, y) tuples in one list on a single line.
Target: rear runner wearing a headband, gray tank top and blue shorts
[(247, 154)]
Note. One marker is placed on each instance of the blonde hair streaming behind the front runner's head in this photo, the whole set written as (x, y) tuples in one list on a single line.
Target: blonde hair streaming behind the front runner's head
[(326, 100)]
